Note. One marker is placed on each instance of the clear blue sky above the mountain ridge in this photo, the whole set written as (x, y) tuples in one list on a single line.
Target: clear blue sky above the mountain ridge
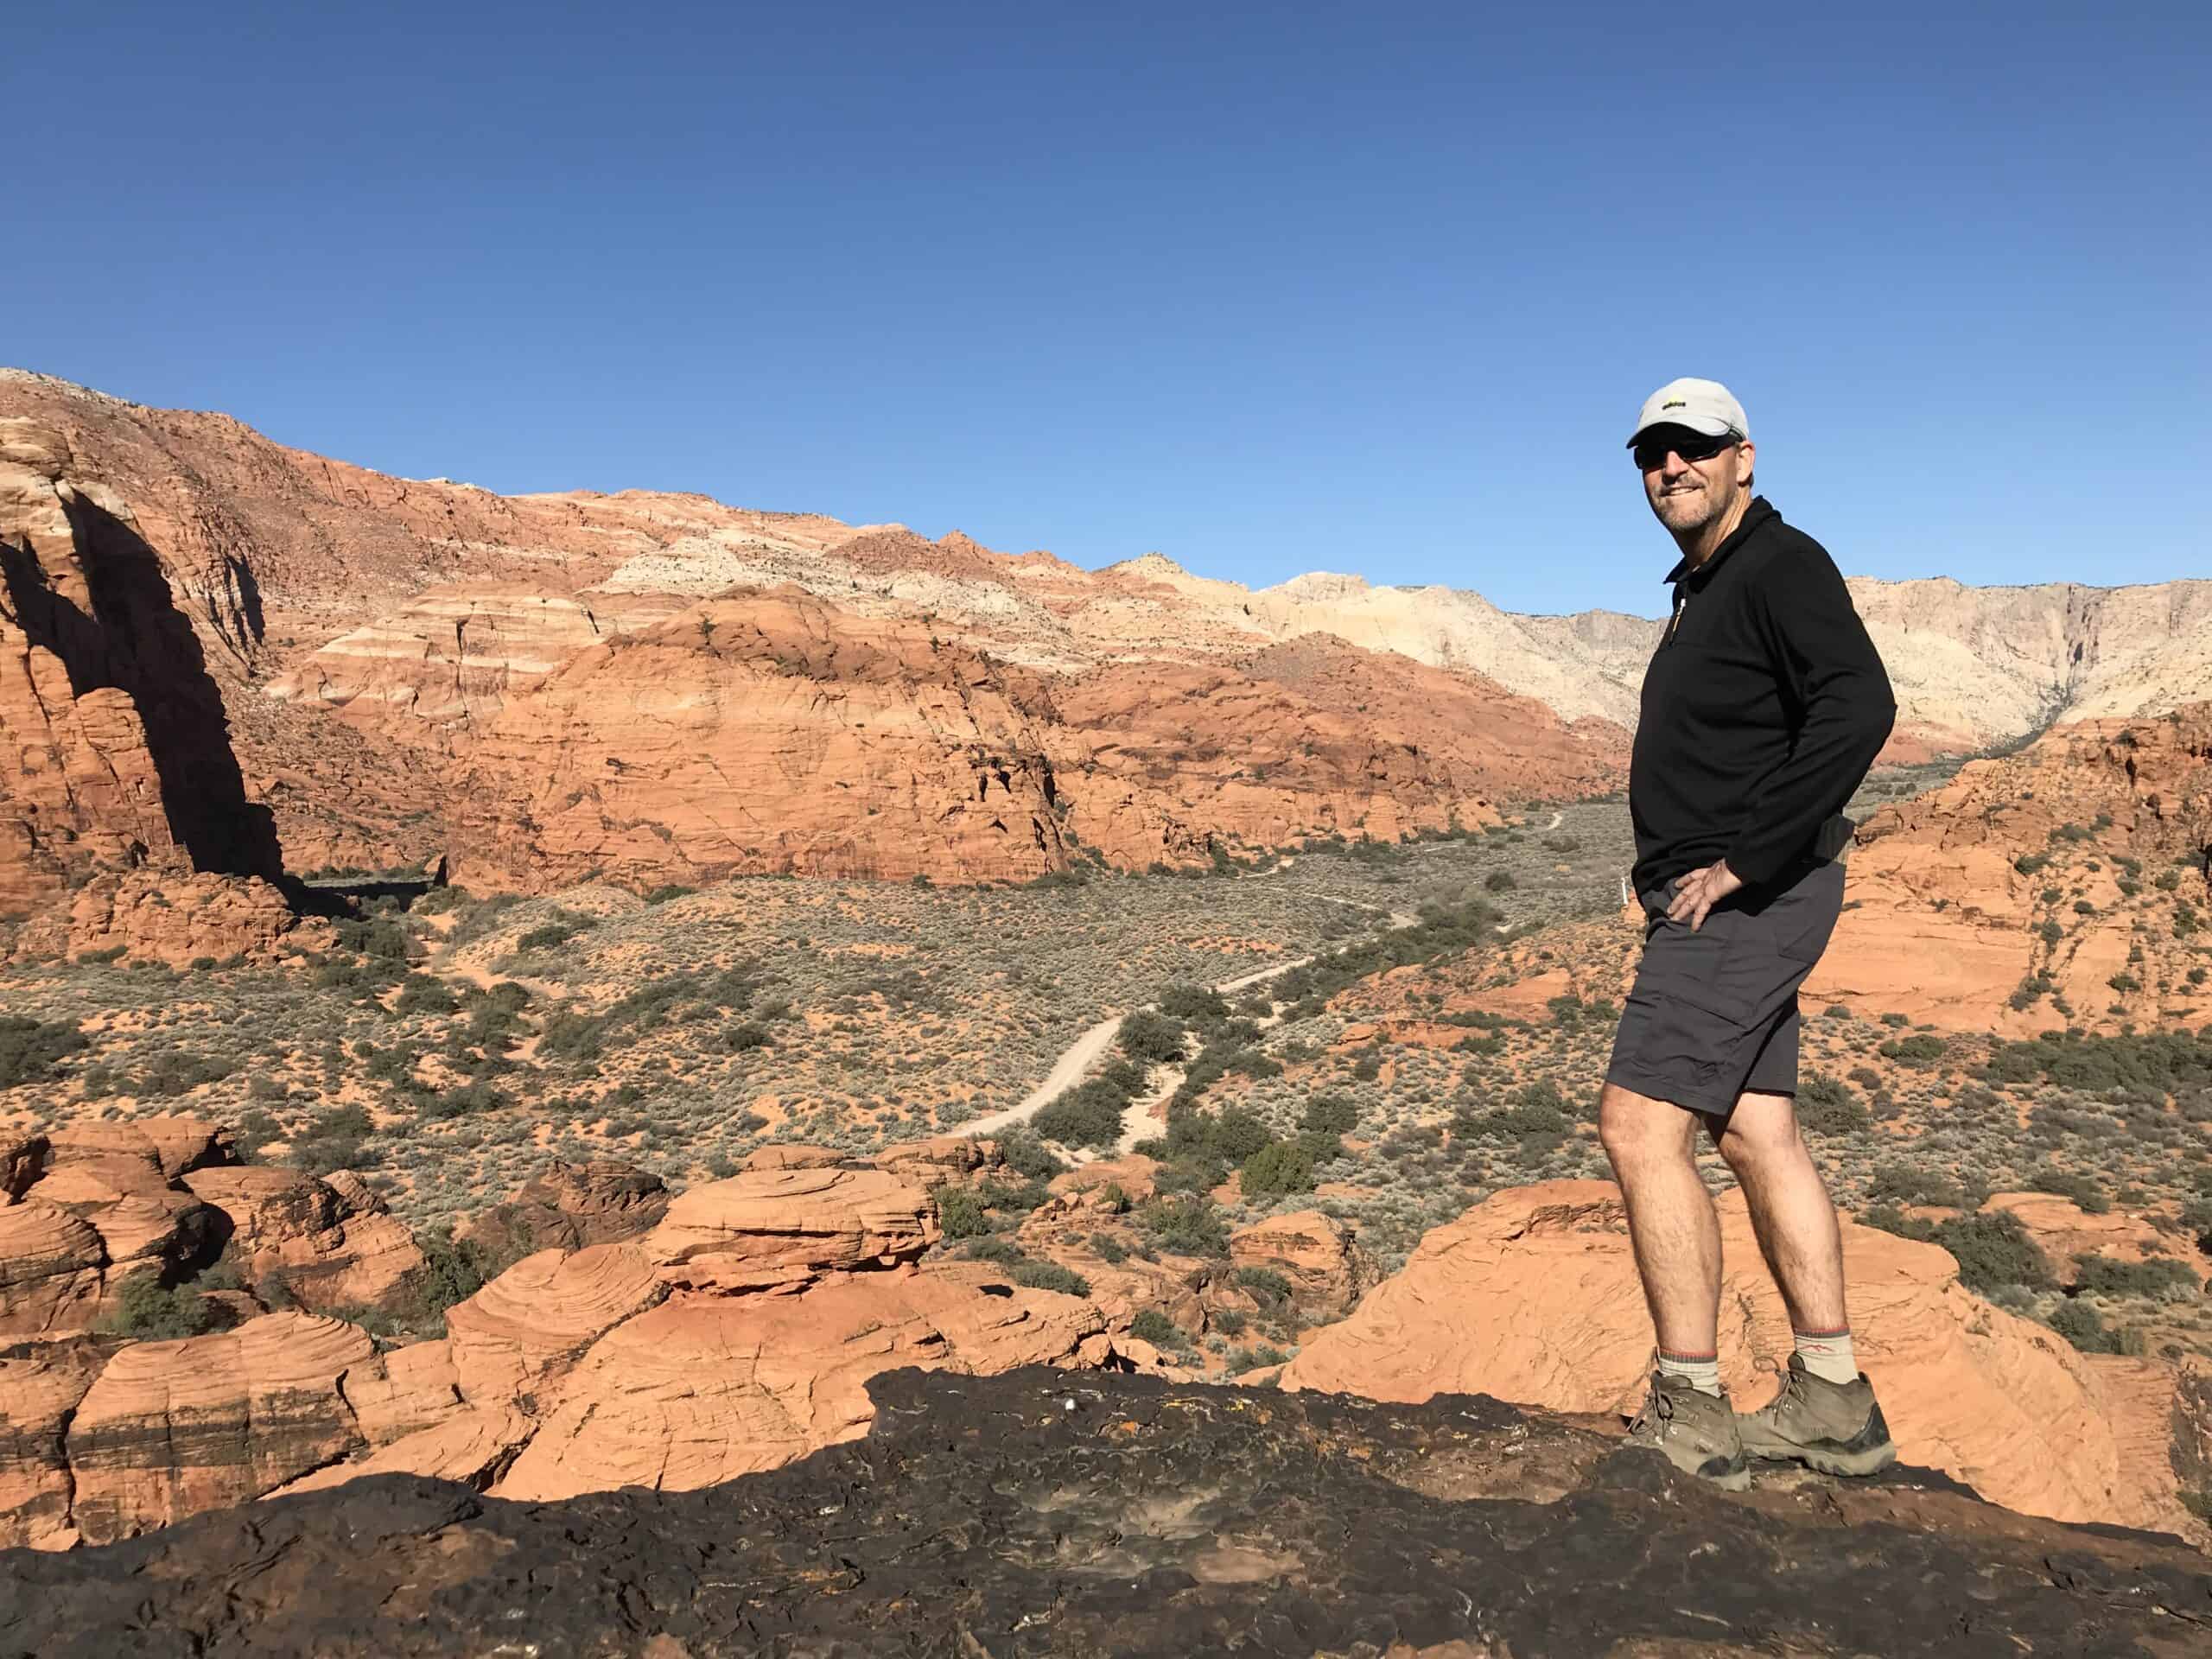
[(1264, 289)]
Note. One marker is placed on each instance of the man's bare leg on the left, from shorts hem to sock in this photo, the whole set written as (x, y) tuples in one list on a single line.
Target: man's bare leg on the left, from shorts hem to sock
[(1671, 1222)]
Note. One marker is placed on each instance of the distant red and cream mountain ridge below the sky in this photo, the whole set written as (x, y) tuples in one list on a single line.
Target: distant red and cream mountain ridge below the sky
[(417, 665)]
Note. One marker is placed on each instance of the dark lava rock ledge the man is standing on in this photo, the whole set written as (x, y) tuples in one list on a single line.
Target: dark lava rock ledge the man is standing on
[(994, 1519)]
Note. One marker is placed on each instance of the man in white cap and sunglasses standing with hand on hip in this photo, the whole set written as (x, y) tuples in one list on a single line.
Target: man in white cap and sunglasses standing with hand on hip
[(1764, 707)]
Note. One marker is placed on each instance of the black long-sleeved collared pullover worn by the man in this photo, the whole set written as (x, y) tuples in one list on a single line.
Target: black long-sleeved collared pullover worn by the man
[(1764, 707)]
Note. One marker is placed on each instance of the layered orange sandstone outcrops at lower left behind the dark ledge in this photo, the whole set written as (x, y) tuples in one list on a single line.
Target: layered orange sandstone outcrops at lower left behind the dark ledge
[(738, 1335)]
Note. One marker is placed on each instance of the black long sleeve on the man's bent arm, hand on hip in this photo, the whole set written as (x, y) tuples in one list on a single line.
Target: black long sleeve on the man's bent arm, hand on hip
[(1848, 709)]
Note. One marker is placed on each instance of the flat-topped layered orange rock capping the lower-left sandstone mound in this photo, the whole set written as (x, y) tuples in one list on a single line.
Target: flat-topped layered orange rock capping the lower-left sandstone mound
[(780, 1229)]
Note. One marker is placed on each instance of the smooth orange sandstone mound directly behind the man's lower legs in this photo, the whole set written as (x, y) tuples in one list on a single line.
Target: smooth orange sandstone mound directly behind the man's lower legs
[(1534, 1297)]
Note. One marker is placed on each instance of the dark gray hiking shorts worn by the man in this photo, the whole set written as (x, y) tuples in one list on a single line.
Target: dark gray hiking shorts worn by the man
[(1713, 1014)]
